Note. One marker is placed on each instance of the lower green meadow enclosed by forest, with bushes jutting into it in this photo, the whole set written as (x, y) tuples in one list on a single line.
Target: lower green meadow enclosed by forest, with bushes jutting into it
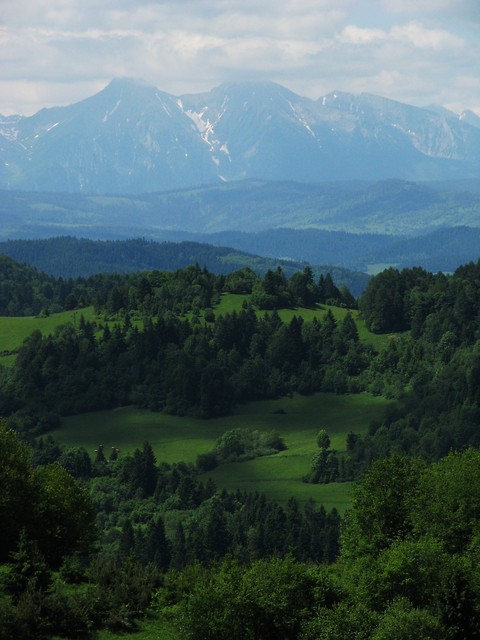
[(175, 439)]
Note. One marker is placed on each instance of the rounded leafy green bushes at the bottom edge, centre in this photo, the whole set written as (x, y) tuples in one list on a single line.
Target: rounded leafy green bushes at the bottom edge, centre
[(264, 600)]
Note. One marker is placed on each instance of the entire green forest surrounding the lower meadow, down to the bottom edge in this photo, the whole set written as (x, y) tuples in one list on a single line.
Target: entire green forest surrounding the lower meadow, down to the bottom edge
[(99, 542)]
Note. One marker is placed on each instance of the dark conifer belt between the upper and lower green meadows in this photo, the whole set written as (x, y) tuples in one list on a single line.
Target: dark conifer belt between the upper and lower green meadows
[(181, 367)]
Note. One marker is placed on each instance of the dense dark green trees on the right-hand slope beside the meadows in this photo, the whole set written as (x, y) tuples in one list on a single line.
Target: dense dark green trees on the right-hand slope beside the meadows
[(433, 369)]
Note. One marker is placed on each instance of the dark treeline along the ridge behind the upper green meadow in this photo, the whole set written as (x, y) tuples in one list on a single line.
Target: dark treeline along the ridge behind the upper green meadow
[(24, 291)]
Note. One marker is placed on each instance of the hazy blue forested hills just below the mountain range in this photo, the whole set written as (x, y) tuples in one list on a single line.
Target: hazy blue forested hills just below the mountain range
[(354, 225)]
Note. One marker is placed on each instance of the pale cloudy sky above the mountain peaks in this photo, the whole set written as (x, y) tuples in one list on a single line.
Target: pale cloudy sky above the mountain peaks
[(55, 52)]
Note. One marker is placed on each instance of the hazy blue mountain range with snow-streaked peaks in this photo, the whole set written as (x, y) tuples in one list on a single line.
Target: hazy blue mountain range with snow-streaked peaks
[(132, 138)]
